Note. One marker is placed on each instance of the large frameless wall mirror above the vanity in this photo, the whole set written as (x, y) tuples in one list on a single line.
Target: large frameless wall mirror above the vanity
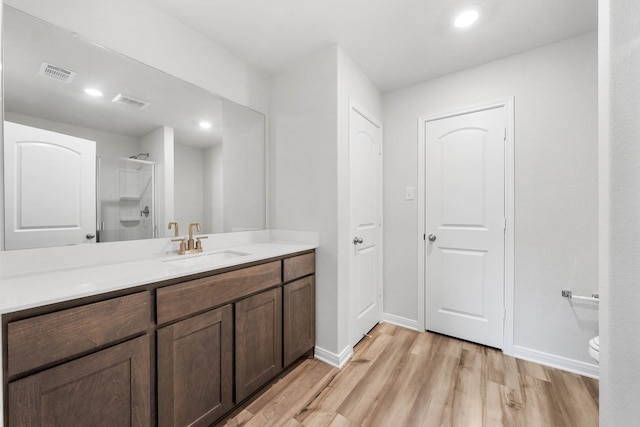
[(144, 150)]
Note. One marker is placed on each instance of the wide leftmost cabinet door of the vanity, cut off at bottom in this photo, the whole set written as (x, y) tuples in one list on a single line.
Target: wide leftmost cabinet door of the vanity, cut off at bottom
[(110, 387)]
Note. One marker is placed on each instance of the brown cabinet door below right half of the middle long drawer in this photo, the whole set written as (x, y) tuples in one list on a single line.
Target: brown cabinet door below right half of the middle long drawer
[(258, 341)]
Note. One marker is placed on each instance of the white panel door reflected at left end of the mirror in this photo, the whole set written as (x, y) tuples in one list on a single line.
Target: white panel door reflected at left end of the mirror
[(50, 184)]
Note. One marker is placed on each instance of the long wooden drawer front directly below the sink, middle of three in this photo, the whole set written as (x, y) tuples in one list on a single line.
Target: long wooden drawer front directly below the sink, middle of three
[(194, 296)]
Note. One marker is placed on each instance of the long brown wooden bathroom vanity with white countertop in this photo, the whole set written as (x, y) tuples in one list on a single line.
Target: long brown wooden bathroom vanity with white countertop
[(182, 350)]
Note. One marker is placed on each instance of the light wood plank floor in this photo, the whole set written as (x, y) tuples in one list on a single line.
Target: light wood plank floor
[(400, 377)]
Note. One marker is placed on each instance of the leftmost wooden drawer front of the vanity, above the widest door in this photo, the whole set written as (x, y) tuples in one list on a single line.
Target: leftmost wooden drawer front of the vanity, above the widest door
[(46, 339)]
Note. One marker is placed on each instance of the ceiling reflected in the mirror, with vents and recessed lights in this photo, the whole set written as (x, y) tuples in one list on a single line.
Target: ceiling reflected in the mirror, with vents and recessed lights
[(27, 42)]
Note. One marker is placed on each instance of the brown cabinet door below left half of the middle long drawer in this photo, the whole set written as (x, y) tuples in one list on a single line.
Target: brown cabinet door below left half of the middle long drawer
[(195, 369)]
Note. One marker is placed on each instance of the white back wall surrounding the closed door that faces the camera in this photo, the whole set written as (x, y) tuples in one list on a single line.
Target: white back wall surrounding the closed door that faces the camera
[(556, 184)]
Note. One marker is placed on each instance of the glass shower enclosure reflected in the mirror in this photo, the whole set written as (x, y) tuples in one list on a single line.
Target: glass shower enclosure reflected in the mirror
[(126, 199)]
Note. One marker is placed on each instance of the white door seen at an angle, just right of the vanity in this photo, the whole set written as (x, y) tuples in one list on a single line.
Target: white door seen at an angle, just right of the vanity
[(365, 166)]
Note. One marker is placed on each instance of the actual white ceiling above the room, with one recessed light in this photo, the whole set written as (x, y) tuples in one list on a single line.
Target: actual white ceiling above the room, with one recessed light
[(396, 42)]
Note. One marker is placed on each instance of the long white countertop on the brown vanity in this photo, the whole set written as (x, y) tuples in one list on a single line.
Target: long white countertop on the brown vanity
[(21, 291)]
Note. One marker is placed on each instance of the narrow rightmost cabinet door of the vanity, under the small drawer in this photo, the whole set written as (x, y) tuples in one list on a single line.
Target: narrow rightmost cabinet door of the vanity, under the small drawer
[(299, 318)]
